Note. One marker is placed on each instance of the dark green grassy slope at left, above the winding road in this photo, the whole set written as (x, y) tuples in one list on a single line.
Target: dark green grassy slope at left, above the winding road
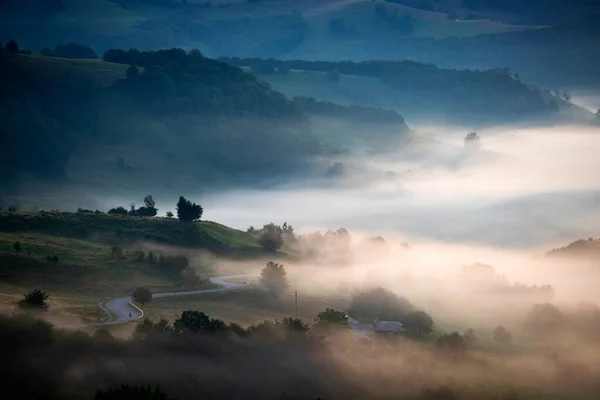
[(86, 273)]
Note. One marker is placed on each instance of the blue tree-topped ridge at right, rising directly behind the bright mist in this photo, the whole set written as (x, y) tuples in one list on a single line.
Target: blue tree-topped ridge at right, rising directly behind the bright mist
[(417, 90)]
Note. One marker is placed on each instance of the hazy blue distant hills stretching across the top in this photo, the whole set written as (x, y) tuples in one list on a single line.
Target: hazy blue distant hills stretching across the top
[(550, 45)]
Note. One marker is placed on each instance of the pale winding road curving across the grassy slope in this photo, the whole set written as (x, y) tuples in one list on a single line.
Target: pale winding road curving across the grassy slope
[(122, 309)]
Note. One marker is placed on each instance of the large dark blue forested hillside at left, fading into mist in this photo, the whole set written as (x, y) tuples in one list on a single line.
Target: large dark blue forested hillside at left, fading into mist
[(180, 109)]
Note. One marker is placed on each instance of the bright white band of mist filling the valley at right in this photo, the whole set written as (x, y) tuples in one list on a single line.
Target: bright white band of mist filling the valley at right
[(523, 188)]
